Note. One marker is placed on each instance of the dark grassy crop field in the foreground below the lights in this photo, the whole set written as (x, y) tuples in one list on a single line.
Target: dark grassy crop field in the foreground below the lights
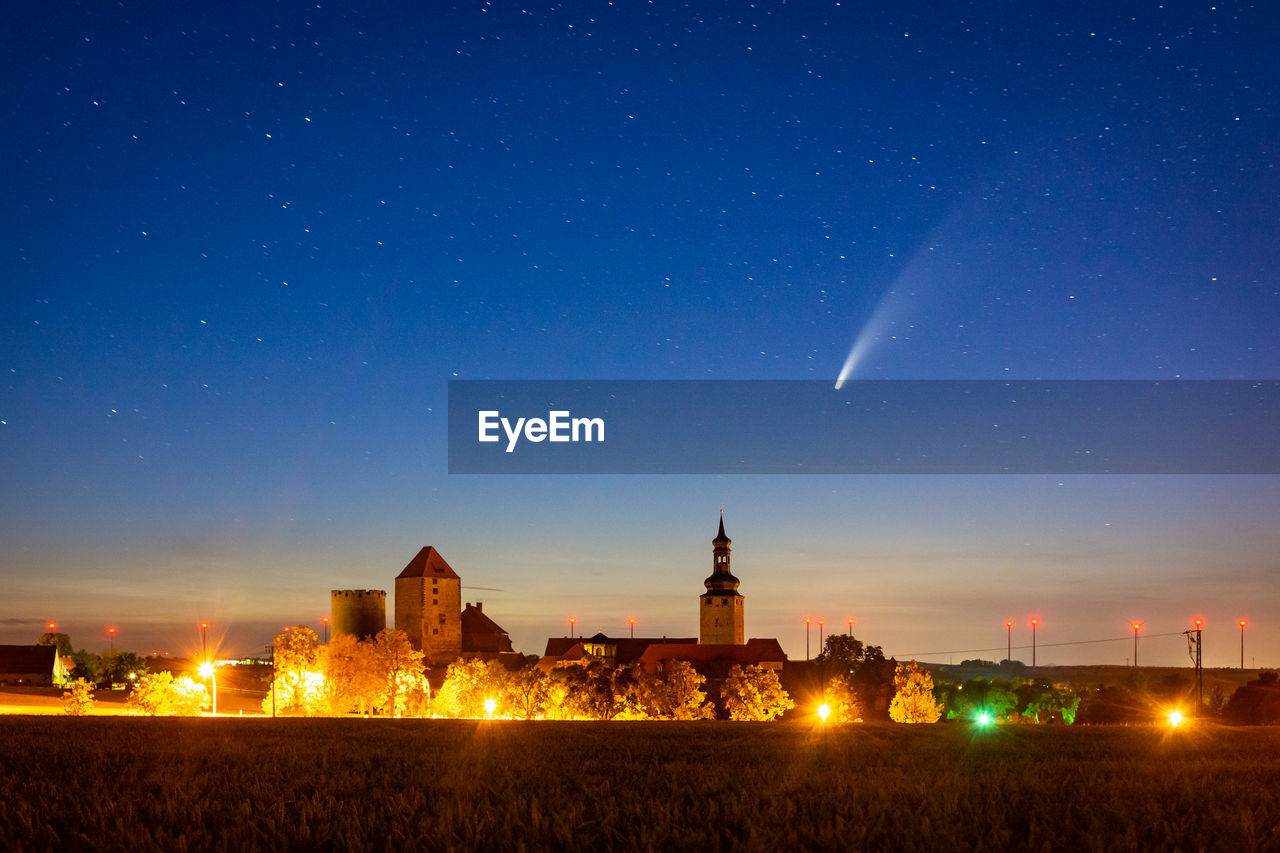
[(228, 784)]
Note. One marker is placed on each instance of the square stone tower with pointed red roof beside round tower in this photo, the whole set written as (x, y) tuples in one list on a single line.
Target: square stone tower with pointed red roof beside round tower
[(429, 606)]
